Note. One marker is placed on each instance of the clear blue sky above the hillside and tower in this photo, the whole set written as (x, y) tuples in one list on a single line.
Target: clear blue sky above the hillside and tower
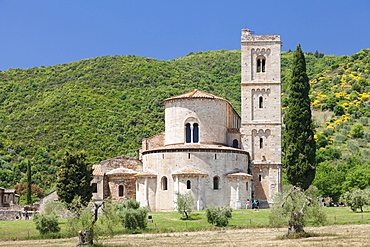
[(36, 33)]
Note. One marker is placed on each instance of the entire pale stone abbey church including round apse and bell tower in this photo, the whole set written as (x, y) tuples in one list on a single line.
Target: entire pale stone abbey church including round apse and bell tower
[(207, 148)]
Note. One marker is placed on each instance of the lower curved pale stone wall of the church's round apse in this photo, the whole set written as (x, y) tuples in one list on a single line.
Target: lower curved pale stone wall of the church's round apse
[(210, 162)]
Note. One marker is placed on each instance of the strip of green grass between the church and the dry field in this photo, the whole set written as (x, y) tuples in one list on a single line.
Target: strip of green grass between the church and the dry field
[(165, 222)]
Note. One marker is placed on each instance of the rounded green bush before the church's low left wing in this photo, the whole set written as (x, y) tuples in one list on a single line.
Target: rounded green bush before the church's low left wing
[(132, 216)]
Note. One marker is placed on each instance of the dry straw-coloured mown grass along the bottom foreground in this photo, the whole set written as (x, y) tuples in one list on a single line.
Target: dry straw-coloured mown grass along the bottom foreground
[(346, 235)]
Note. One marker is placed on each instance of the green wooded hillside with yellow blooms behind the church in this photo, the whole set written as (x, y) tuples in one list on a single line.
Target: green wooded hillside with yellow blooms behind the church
[(106, 105)]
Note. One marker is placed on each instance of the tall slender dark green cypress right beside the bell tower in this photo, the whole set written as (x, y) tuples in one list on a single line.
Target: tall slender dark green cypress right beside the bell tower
[(298, 138)]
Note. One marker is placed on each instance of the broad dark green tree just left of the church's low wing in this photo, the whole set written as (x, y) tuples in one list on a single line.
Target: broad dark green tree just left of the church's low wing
[(74, 177)]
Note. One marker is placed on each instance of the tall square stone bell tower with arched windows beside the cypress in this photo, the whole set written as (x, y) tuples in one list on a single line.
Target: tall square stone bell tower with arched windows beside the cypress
[(261, 110)]
